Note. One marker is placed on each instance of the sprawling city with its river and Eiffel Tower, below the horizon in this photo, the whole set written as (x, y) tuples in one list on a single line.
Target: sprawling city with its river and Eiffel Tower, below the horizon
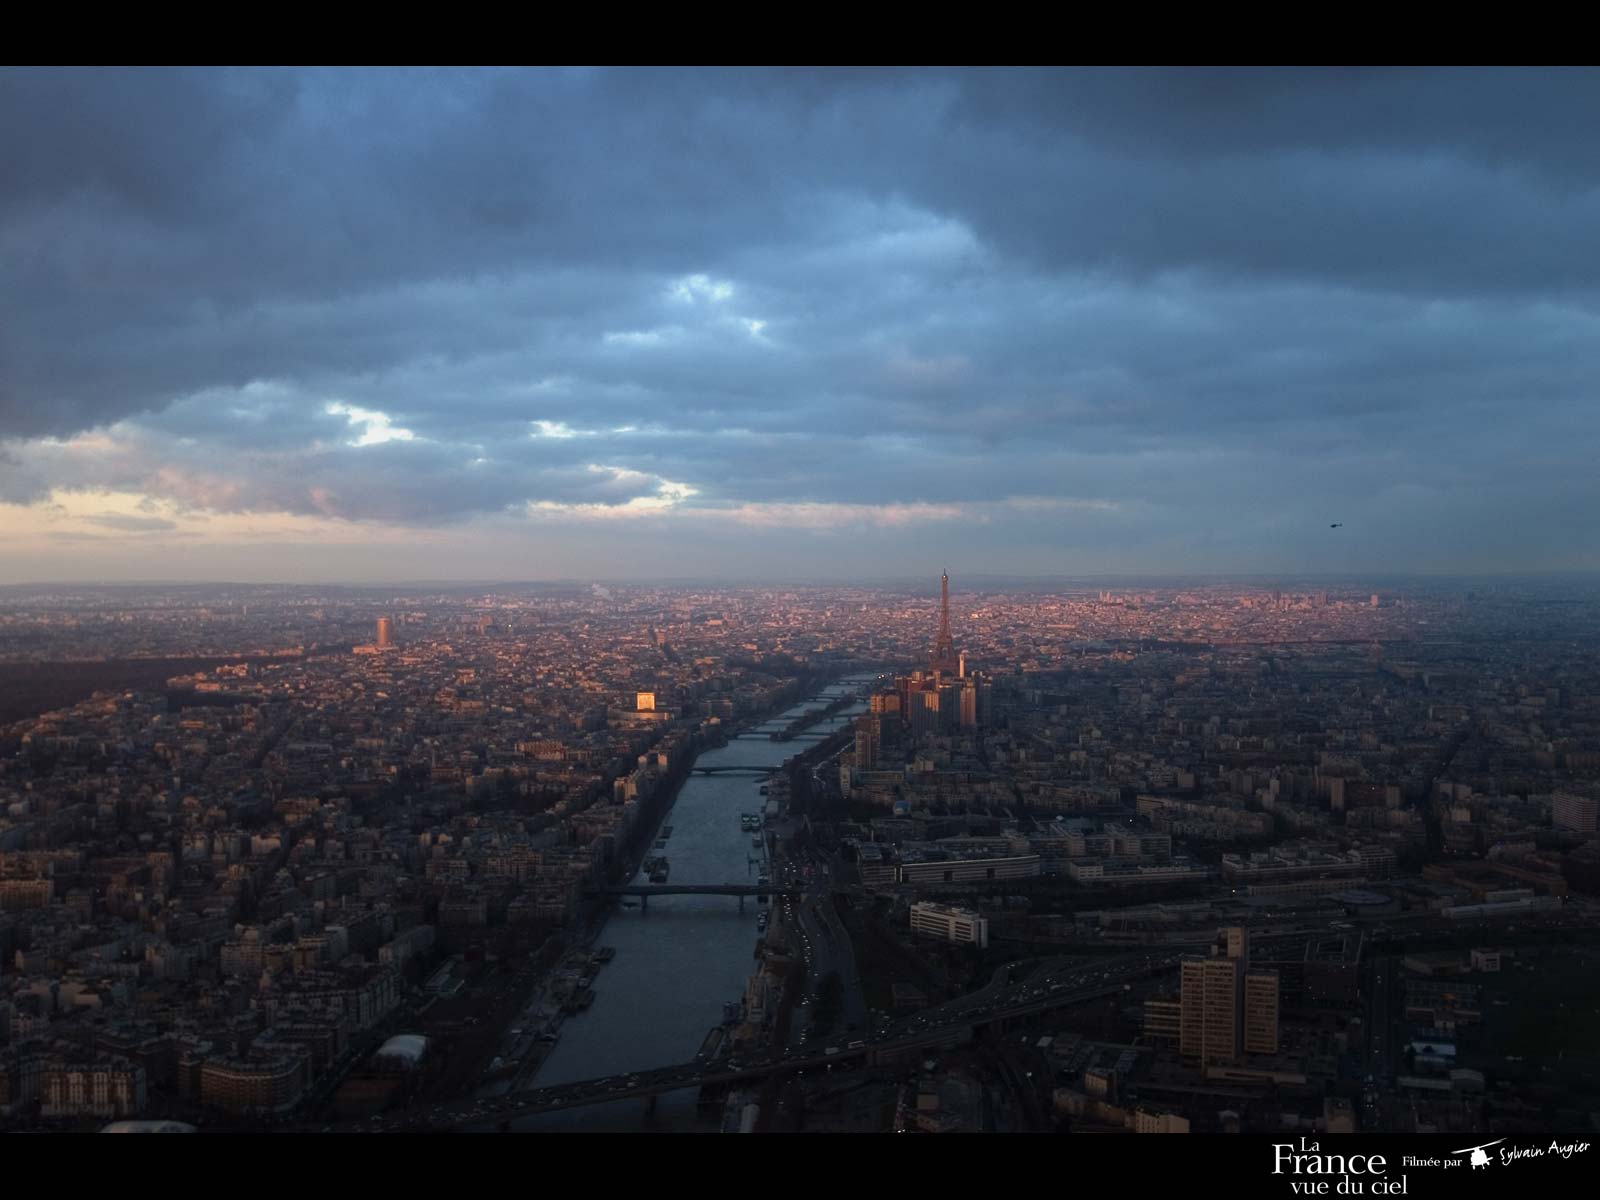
[(1106, 860)]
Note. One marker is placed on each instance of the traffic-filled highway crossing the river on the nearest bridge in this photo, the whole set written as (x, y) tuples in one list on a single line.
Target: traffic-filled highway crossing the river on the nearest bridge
[(1049, 985)]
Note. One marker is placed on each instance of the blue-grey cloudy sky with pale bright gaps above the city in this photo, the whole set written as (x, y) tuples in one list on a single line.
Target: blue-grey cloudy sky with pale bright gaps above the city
[(815, 326)]
